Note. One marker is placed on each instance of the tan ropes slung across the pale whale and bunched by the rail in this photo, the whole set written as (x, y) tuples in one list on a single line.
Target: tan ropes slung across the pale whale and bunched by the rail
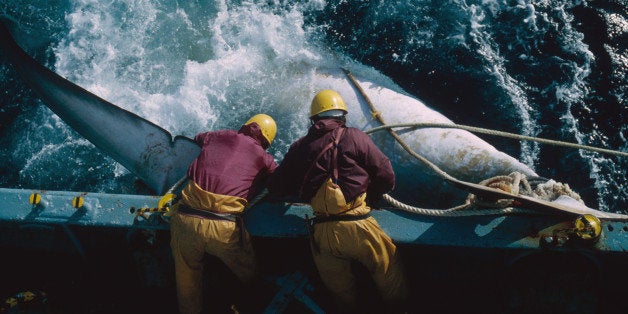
[(508, 184)]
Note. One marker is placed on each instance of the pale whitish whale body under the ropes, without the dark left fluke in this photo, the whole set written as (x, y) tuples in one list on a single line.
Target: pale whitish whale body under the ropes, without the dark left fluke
[(457, 152)]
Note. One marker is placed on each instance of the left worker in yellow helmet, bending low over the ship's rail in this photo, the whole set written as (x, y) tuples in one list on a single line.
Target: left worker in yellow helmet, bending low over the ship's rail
[(206, 219)]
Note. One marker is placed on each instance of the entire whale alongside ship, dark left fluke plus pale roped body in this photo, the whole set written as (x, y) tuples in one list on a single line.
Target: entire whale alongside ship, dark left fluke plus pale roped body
[(160, 159)]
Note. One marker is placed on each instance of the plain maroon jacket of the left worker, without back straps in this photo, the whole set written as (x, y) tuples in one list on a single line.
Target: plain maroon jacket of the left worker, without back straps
[(232, 163)]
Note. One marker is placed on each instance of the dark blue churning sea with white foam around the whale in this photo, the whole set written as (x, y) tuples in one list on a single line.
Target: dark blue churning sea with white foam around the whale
[(553, 69)]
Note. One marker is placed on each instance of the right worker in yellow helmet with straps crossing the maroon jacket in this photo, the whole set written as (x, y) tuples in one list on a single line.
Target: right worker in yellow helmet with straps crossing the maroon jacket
[(341, 173)]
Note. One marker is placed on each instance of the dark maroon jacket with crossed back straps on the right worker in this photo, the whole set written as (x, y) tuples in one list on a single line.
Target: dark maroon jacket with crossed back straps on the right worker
[(362, 167)]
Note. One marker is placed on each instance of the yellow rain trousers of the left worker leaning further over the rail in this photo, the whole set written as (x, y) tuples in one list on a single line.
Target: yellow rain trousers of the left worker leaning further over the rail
[(193, 236)]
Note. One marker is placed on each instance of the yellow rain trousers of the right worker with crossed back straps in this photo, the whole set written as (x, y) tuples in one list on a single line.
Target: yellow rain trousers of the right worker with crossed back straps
[(338, 243)]
